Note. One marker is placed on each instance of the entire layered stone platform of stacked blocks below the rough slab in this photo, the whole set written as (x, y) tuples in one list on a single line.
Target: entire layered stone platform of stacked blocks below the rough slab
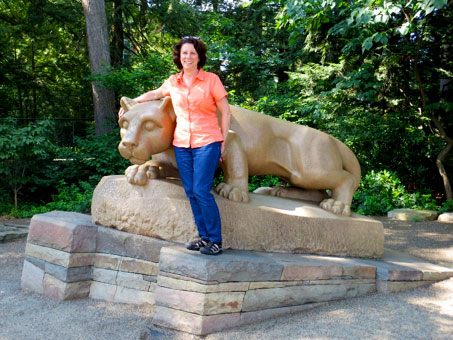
[(68, 257)]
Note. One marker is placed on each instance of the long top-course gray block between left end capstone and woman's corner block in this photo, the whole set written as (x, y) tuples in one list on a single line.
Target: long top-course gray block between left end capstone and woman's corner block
[(116, 242)]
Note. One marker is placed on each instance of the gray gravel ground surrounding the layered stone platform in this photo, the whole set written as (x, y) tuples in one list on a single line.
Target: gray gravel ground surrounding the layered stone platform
[(423, 313)]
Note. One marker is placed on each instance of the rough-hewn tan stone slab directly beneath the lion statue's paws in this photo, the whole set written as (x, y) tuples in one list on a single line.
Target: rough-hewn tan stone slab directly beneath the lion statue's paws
[(160, 209)]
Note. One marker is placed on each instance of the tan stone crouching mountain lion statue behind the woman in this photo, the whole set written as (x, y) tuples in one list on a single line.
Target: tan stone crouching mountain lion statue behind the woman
[(257, 144)]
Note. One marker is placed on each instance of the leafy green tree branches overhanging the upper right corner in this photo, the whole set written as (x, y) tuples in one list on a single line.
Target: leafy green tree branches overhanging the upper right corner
[(389, 52)]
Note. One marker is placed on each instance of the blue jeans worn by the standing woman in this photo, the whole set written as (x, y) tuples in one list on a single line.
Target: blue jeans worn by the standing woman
[(197, 168)]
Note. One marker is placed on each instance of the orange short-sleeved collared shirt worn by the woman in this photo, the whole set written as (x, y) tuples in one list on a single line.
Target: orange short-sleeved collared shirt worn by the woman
[(195, 107)]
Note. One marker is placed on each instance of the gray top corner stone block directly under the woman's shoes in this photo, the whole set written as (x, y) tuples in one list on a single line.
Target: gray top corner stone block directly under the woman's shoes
[(232, 265)]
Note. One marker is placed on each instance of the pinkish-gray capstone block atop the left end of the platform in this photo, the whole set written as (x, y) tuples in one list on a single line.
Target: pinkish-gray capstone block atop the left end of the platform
[(68, 231)]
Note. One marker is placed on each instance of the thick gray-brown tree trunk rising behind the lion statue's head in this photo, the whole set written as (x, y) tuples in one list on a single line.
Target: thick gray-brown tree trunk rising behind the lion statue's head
[(98, 46)]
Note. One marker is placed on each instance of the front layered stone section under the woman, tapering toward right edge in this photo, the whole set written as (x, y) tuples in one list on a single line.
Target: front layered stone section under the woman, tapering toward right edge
[(203, 294)]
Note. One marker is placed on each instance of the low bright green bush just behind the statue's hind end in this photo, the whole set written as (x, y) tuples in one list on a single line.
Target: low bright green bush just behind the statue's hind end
[(382, 191)]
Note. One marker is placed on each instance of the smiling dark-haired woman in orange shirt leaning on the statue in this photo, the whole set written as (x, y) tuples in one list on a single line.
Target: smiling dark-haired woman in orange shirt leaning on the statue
[(198, 142)]
